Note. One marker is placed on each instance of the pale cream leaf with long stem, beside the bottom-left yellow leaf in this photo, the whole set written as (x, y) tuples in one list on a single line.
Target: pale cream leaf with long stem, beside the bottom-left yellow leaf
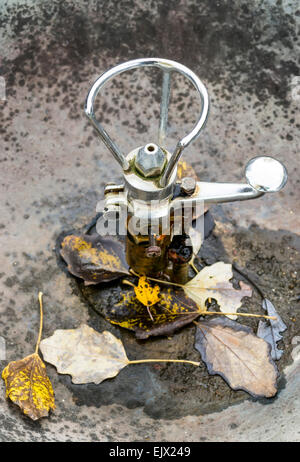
[(89, 356)]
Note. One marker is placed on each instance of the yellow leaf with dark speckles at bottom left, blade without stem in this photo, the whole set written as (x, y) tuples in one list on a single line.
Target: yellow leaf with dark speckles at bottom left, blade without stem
[(28, 386)]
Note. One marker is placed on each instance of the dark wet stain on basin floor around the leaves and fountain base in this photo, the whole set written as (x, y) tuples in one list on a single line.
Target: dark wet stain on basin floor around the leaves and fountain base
[(170, 390)]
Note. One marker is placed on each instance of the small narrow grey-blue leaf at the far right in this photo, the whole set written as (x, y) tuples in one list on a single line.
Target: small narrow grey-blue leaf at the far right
[(270, 331)]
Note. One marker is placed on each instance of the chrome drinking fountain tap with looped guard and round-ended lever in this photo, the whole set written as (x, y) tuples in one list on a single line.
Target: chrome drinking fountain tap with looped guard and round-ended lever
[(150, 171)]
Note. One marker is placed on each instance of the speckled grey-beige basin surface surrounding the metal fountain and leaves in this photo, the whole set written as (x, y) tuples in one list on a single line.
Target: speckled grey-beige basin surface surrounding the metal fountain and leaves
[(53, 170)]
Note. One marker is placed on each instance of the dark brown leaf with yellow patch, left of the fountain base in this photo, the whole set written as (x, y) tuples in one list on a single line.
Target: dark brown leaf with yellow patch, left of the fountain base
[(94, 258)]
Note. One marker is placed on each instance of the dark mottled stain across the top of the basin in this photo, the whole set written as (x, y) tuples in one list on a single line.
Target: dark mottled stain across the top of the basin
[(245, 48)]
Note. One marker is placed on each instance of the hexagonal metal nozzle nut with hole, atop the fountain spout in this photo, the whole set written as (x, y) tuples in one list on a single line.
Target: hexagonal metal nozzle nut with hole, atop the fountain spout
[(150, 160)]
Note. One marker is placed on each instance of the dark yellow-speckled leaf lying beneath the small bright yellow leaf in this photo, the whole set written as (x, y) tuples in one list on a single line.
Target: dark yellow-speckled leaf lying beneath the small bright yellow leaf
[(173, 311)]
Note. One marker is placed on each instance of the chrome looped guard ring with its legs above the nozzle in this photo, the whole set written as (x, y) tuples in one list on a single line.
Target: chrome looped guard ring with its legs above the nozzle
[(167, 66)]
